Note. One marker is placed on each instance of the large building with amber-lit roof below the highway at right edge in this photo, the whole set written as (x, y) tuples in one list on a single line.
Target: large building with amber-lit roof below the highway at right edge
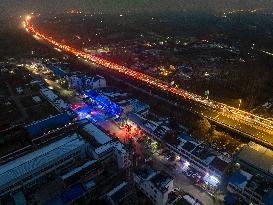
[(256, 159)]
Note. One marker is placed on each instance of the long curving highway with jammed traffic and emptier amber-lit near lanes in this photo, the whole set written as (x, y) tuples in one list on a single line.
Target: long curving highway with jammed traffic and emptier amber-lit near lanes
[(252, 126)]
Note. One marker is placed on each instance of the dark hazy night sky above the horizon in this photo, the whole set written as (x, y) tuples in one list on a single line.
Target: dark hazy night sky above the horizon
[(20, 7)]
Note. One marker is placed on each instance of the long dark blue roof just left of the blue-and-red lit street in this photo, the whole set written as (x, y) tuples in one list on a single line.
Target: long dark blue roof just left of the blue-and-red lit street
[(37, 128)]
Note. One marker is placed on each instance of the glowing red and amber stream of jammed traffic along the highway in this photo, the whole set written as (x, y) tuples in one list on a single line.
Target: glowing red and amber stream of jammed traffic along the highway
[(230, 112)]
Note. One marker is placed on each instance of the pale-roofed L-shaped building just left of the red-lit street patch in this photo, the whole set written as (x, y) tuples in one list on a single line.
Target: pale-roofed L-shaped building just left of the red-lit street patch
[(105, 148)]
